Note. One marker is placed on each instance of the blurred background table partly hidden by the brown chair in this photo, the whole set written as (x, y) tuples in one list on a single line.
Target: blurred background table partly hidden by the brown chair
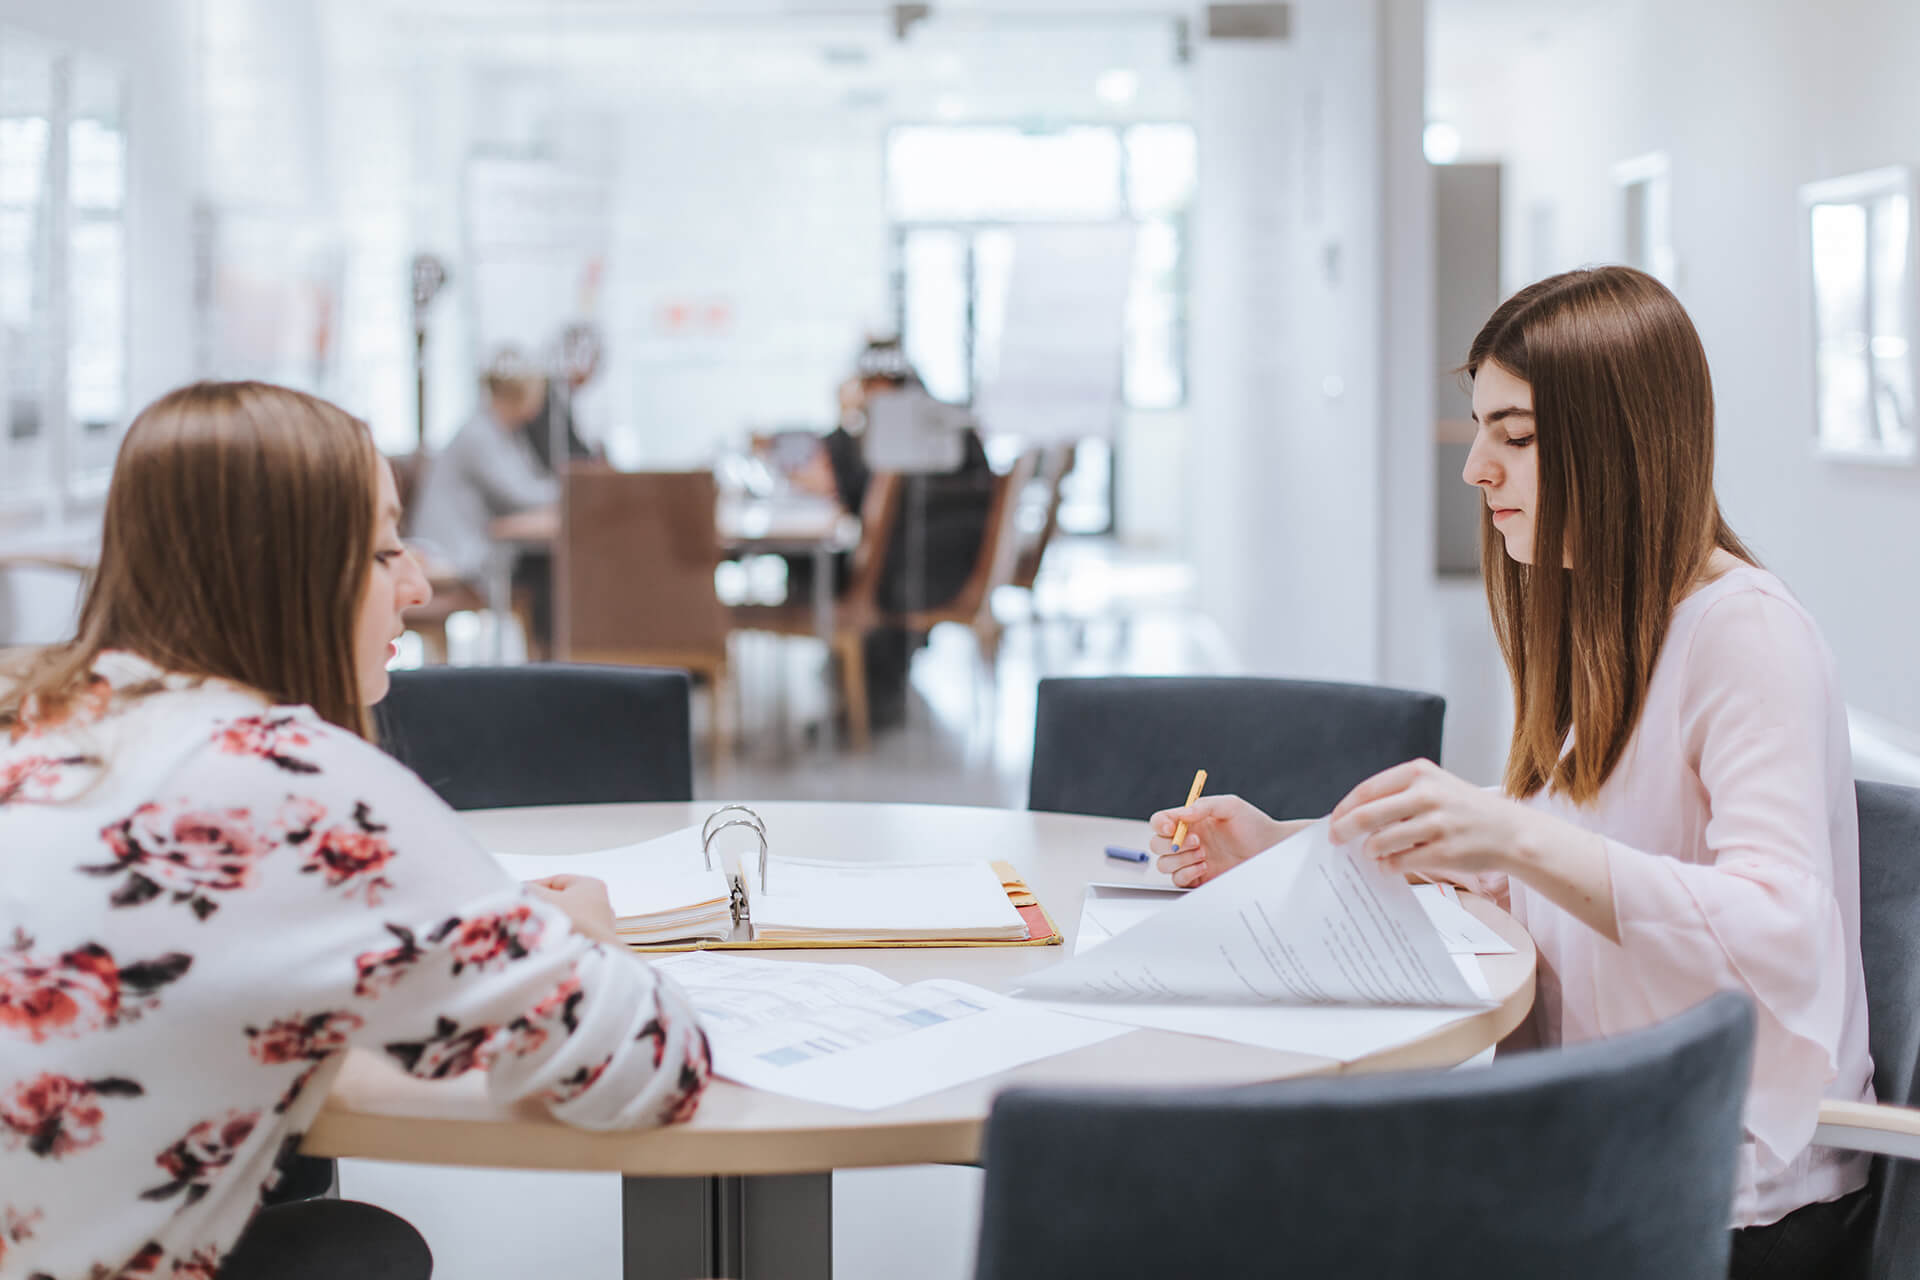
[(811, 527)]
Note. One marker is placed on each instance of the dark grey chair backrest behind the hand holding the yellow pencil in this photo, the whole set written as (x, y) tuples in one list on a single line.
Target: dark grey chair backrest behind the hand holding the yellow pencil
[(1128, 746)]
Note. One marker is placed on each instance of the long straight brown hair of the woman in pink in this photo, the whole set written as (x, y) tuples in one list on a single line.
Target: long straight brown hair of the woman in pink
[(1623, 429)]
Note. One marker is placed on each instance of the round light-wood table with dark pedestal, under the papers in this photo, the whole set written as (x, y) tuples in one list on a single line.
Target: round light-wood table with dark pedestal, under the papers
[(746, 1187)]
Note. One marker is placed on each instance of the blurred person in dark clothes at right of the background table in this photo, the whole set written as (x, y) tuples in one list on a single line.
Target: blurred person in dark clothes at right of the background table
[(936, 540)]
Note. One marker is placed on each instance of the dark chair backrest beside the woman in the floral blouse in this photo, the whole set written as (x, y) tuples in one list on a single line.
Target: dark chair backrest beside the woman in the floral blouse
[(552, 734)]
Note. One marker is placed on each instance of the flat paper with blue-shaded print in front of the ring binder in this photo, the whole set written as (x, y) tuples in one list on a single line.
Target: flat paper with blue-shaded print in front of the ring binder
[(853, 1039)]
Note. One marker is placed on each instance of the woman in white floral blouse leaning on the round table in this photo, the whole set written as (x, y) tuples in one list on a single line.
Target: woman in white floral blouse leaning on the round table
[(214, 884)]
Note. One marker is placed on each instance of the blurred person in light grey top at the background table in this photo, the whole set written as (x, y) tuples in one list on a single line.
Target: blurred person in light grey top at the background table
[(489, 471)]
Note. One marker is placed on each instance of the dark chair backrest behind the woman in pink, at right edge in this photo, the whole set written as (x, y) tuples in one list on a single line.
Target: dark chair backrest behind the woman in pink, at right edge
[(1890, 951)]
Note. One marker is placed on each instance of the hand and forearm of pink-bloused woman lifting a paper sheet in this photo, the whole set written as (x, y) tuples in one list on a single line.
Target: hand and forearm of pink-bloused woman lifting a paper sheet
[(1420, 820)]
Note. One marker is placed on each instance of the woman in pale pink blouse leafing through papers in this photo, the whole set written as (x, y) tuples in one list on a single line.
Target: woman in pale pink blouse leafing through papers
[(1677, 813)]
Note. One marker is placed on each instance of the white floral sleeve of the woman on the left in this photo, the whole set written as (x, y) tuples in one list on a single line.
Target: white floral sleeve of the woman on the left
[(418, 945)]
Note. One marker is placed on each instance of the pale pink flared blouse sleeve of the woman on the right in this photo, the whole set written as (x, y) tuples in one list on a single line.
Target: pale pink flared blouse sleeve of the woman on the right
[(1760, 914)]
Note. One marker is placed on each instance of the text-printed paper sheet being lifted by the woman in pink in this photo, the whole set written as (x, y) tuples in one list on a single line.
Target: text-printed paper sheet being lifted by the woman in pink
[(1303, 924)]
